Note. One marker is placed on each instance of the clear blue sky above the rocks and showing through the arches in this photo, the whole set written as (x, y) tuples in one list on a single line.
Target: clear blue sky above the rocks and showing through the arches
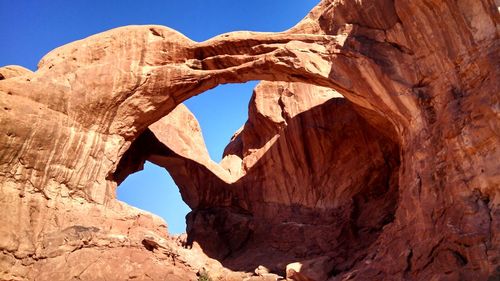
[(31, 28)]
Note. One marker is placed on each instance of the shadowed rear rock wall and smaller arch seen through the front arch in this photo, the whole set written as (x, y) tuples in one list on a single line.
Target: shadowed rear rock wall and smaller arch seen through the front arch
[(305, 177)]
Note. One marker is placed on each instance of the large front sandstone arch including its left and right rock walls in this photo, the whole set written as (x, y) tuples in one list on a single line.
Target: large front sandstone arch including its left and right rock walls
[(427, 67)]
